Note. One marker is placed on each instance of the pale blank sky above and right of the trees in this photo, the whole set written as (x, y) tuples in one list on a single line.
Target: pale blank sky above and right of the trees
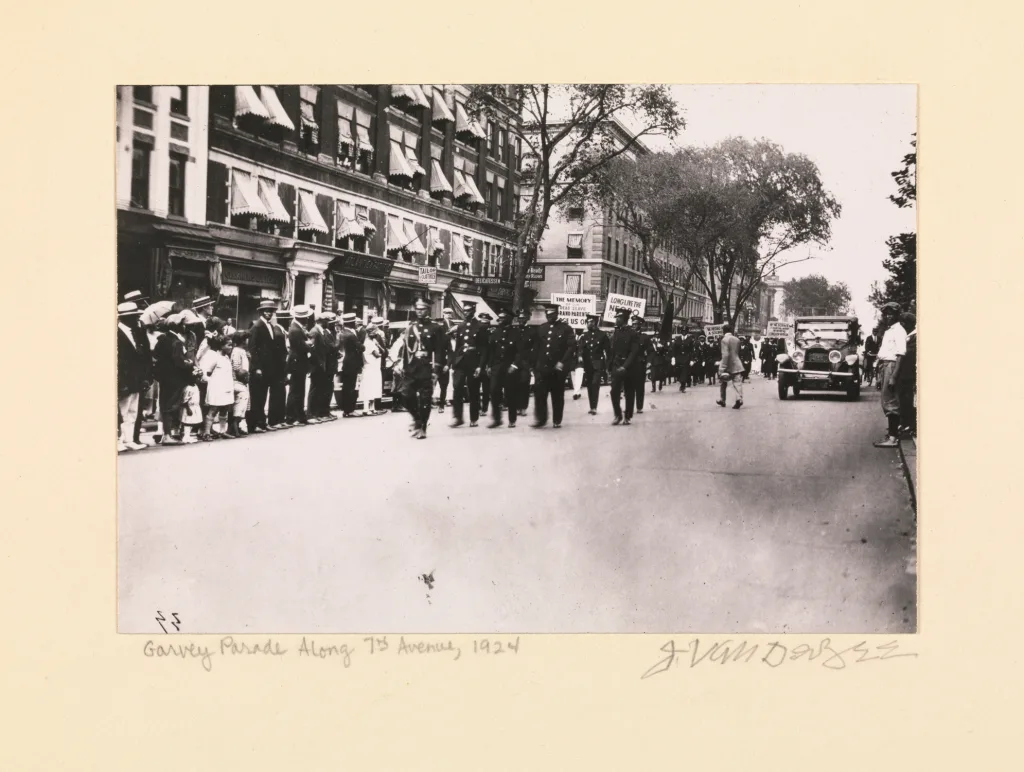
[(858, 136)]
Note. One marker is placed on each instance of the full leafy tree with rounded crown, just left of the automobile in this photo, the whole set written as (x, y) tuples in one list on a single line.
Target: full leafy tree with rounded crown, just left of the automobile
[(744, 207)]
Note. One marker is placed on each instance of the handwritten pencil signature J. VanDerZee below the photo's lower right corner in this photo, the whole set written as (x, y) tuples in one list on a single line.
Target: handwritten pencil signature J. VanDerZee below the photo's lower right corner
[(775, 654)]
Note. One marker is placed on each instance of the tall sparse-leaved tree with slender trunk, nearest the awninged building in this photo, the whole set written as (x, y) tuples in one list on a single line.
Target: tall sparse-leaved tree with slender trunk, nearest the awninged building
[(569, 134)]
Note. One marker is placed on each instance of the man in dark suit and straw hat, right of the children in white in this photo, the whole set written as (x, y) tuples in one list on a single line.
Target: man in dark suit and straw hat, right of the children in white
[(268, 355)]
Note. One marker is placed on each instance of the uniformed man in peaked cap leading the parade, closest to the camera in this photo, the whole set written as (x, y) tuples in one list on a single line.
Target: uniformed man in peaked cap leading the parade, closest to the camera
[(423, 353)]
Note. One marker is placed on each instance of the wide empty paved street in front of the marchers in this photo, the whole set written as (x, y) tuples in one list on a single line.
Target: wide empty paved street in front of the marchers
[(779, 518)]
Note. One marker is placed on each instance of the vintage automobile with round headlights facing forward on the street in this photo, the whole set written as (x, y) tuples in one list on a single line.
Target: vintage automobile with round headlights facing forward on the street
[(823, 357)]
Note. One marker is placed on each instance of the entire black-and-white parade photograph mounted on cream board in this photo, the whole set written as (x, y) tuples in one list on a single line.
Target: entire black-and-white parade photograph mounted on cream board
[(536, 358)]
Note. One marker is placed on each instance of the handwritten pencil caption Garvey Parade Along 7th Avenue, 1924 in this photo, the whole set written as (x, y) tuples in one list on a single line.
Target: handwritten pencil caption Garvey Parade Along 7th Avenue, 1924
[(308, 648)]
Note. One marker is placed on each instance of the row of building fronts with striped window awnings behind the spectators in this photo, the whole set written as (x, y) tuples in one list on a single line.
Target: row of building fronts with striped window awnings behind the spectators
[(344, 198)]
